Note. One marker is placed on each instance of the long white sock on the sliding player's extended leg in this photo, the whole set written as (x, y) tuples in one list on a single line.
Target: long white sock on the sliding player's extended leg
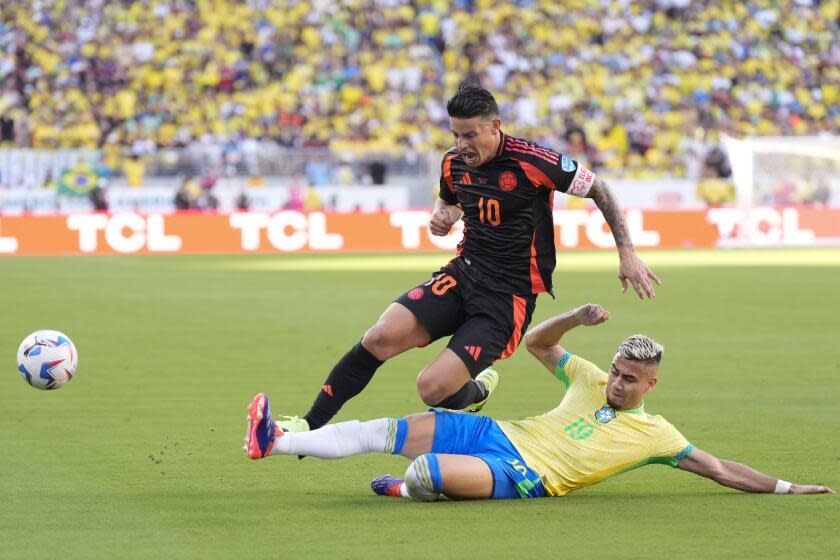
[(335, 441)]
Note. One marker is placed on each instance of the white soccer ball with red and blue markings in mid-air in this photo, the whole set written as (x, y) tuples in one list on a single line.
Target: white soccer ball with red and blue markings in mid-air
[(47, 359)]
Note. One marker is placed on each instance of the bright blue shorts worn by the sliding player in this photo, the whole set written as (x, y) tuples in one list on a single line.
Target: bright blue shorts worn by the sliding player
[(457, 433)]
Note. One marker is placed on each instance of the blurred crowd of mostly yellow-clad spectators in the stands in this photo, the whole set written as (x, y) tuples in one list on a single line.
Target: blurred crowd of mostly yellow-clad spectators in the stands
[(645, 87)]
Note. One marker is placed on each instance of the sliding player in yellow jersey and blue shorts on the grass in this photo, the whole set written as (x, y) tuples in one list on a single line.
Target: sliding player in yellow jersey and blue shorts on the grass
[(600, 429)]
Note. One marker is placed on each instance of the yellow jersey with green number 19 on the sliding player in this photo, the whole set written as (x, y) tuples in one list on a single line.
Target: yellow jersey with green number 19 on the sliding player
[(584, 440)]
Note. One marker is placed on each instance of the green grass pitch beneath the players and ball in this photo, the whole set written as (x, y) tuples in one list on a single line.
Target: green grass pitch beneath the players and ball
[(140, 455)]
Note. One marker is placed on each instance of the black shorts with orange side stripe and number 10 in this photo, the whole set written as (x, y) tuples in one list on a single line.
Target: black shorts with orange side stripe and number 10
[(486, 325)]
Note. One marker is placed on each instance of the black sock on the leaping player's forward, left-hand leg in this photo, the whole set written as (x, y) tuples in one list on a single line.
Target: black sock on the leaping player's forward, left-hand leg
[(347, 379)]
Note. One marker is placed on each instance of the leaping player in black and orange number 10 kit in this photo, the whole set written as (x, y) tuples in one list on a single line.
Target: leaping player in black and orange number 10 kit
[(503, 188)]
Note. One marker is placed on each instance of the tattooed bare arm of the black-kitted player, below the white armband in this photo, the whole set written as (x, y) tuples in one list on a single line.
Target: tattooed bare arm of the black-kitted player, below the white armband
[(631, 269)]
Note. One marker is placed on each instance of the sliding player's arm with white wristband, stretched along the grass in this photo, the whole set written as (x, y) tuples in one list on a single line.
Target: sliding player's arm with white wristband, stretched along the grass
[(741, 477)]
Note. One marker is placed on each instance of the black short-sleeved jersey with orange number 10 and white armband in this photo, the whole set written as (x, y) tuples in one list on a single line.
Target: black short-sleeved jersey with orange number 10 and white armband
[(507, 204)]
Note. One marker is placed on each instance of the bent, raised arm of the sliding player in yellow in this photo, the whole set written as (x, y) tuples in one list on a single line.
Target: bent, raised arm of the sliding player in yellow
[(543, 341)]
